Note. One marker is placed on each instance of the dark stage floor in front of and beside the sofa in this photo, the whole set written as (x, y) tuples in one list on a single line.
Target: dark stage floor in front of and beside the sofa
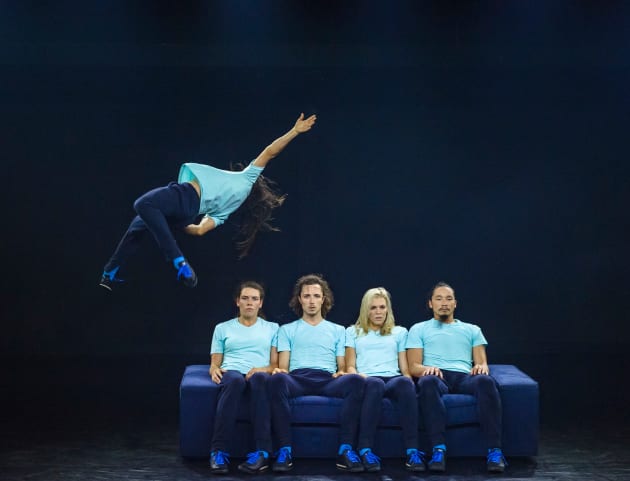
[(150, 453)]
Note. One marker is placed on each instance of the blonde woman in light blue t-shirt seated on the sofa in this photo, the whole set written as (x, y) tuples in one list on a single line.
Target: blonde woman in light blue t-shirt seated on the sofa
[(375, 349)]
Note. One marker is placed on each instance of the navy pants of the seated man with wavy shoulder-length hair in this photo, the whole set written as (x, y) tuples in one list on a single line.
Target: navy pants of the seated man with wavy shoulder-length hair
[(302, 382)]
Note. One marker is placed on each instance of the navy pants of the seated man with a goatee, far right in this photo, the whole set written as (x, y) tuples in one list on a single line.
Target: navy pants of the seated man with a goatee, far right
[(483, 387)]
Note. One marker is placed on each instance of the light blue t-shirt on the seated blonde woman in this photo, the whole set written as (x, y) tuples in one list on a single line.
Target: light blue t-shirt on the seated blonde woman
[(377, 355)]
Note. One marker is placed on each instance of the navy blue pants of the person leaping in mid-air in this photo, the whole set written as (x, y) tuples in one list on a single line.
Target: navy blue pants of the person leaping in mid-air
[(159, 211)]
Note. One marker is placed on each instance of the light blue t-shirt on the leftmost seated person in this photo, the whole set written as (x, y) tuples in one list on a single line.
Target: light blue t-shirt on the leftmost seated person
[(244, 347)]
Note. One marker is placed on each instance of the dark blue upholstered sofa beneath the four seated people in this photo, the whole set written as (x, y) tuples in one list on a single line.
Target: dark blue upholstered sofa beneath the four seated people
[(315, 420)]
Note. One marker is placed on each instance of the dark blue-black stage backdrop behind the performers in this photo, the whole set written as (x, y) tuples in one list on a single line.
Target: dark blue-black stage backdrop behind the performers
[(482, 144)]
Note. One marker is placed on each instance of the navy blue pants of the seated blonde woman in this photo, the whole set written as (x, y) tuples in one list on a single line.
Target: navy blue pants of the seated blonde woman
[(399, 389)]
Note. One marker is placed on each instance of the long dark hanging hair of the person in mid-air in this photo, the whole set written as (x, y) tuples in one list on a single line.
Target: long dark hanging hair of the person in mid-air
[(255, 212)]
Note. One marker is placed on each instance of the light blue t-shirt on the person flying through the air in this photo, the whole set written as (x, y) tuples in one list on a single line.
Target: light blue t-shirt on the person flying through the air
[(222, 191)]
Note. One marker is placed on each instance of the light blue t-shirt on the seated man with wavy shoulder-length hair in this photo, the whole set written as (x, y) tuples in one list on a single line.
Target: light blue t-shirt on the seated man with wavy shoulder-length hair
[(314, 347)]
